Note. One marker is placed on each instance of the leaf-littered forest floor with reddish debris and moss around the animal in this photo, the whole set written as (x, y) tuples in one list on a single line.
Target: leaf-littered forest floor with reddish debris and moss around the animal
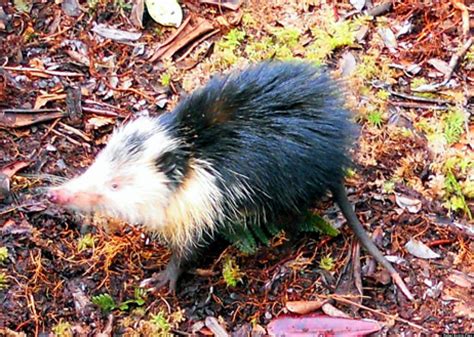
[(70, 72)]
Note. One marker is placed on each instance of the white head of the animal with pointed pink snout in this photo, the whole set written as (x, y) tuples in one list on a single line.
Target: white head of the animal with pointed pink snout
[(131, 178)]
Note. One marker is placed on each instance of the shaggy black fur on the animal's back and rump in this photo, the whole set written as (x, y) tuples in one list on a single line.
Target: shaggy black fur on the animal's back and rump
[(278, 128)]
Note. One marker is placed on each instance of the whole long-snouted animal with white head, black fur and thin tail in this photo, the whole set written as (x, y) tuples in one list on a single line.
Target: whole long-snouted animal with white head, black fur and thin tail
[(248, 147)]
